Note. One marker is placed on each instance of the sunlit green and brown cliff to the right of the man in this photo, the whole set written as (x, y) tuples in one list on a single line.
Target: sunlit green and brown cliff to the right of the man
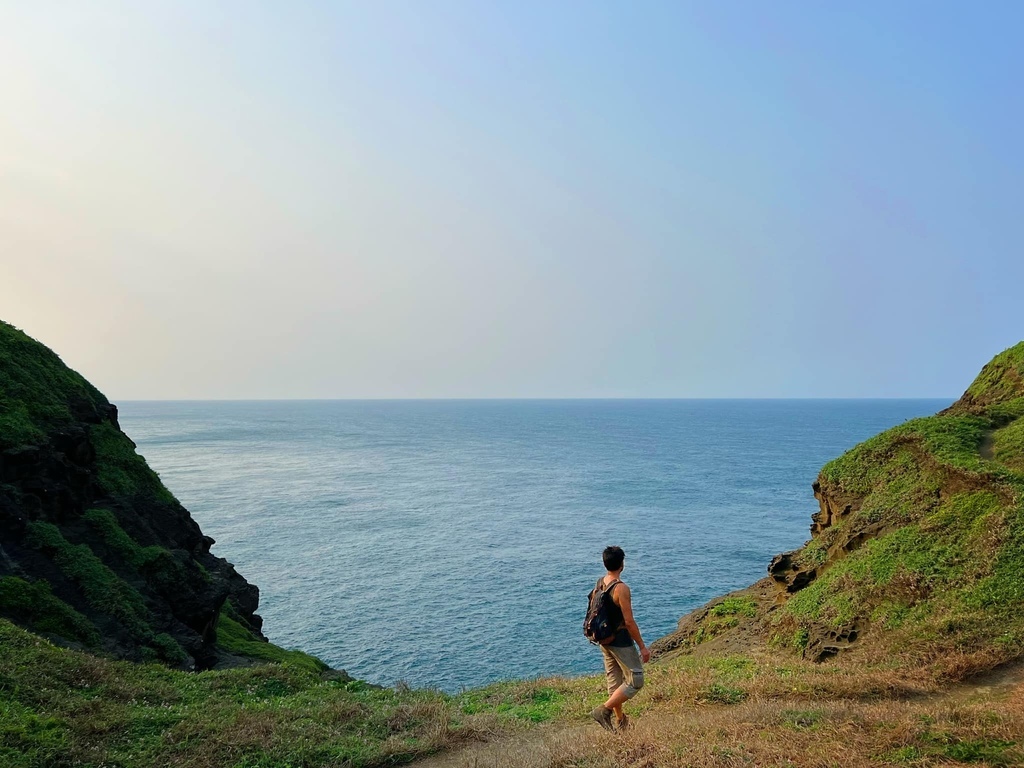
[(917, 550)]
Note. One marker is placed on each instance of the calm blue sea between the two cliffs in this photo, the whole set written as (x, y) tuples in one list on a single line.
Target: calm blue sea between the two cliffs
[(453, 543)]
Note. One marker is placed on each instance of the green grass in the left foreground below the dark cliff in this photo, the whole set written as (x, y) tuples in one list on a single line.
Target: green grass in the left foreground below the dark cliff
[(61, 708)]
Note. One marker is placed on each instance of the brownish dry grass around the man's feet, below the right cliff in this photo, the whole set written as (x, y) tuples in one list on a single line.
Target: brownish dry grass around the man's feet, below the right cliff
[(783, 713)]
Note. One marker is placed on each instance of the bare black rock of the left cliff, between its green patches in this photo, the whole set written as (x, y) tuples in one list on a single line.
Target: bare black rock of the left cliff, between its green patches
[(184, 587)]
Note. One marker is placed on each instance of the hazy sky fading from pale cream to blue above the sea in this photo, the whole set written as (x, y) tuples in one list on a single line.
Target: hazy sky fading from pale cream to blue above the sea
[(435, 199)]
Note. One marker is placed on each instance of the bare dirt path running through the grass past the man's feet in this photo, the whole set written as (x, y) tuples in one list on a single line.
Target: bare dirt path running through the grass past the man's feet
[(541, 747)]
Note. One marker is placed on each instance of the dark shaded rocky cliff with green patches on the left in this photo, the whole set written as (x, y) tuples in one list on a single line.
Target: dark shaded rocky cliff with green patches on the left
[(95, 551)]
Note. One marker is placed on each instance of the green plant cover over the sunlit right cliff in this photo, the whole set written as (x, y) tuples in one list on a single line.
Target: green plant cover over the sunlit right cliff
[(941, 567)]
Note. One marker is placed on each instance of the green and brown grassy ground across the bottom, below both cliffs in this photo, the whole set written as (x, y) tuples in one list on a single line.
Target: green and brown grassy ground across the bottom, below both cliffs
[(61, 708)]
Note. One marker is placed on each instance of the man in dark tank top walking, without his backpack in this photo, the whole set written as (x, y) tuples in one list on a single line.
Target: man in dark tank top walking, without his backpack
[(623, 665)]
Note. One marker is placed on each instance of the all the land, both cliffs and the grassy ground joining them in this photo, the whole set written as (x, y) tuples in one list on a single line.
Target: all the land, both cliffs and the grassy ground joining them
[(893, 637)]
